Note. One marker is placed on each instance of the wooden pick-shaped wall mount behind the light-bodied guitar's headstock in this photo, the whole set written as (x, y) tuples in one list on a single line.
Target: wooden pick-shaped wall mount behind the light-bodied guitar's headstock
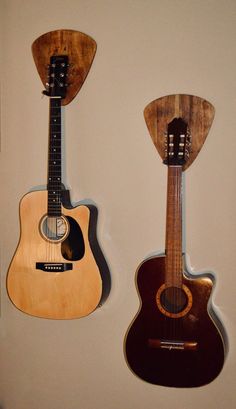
[(80, 49)]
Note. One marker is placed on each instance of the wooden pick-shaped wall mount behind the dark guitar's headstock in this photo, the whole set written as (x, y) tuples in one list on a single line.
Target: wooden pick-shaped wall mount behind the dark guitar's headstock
[(196, 111)]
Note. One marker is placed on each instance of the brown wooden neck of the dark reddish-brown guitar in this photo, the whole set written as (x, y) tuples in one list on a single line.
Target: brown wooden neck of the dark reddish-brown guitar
[(174, 265)]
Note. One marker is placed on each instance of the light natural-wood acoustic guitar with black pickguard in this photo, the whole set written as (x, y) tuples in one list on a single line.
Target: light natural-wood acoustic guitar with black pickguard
[(54, 272)]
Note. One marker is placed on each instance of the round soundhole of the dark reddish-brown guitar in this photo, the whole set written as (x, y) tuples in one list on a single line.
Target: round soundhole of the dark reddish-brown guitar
[(174, 300)]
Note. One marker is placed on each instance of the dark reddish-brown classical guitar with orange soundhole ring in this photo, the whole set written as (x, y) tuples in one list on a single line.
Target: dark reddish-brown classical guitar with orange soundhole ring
[(176, 338)]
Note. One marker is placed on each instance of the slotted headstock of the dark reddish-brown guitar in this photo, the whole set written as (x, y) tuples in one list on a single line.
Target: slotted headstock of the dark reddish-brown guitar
[(178, 143)]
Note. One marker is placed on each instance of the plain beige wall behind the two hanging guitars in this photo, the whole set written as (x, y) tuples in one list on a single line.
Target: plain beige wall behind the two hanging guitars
[(146, 49)]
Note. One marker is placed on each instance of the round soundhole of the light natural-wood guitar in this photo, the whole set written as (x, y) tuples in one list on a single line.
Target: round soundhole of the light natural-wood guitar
[(54, 228)]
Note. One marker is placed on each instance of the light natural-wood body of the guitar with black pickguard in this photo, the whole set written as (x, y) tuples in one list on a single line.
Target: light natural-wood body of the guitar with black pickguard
[(72, 293)]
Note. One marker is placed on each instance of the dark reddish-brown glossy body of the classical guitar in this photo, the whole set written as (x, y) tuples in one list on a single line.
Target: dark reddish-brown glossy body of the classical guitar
[(187, 351)]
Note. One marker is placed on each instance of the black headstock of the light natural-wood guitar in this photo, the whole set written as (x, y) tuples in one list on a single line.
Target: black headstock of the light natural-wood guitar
[(57, 76)]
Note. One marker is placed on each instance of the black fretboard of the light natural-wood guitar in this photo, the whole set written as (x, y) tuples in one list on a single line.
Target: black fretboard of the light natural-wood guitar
[(54, 158)]
